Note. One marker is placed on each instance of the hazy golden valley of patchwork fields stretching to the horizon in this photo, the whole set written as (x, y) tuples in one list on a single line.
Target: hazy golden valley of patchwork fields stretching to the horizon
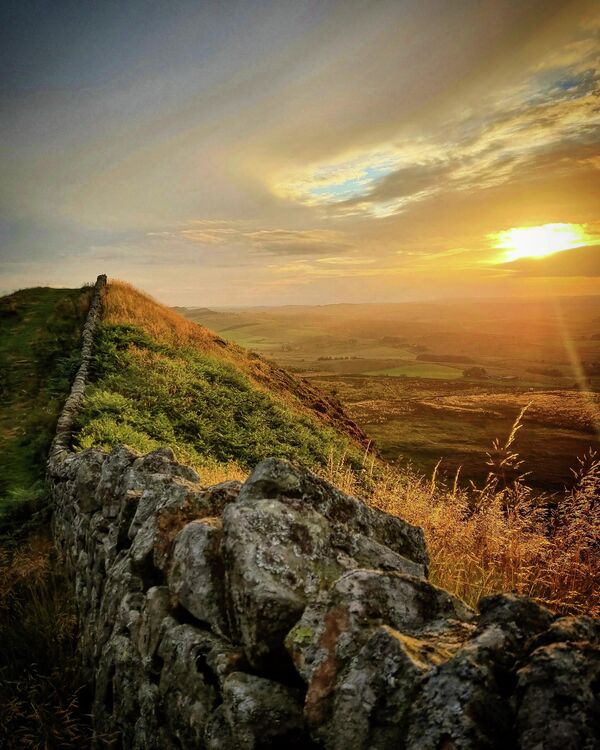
[(433, 381)]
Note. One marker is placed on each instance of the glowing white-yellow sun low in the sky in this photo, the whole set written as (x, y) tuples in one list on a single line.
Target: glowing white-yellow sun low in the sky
[(537, 242)]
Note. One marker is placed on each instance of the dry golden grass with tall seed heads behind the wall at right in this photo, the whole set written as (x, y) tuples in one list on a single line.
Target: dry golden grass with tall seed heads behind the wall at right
[(497, 539)]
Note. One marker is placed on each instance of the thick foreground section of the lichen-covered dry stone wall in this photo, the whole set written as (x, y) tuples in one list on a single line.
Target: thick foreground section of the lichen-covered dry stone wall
[(282, 613)]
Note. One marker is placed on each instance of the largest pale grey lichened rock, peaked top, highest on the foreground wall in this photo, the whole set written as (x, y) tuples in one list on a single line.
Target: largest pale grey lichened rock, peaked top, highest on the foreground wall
[(312, 540)]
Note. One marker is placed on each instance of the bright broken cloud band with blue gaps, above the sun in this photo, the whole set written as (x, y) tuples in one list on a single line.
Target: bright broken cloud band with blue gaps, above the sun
[(555, 109)]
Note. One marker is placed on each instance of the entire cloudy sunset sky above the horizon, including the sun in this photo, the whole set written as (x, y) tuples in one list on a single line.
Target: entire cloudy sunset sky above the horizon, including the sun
[(303, 152)]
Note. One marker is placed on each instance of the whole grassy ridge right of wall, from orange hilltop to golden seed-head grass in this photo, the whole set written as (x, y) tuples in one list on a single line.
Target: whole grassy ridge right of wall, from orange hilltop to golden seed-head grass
[(162, 380)]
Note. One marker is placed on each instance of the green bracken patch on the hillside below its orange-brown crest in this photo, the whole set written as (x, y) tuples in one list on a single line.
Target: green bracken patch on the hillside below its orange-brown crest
[(147, 393)]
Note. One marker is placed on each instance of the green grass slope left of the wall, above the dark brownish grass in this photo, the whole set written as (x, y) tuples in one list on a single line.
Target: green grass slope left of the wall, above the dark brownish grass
[(39, 354)]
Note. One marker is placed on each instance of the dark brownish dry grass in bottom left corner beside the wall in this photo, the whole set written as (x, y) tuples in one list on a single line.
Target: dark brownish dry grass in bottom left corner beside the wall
[(43, 699)]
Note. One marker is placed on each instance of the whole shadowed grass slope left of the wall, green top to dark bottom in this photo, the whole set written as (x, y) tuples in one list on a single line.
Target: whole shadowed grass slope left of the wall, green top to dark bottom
[(41, 698)]
